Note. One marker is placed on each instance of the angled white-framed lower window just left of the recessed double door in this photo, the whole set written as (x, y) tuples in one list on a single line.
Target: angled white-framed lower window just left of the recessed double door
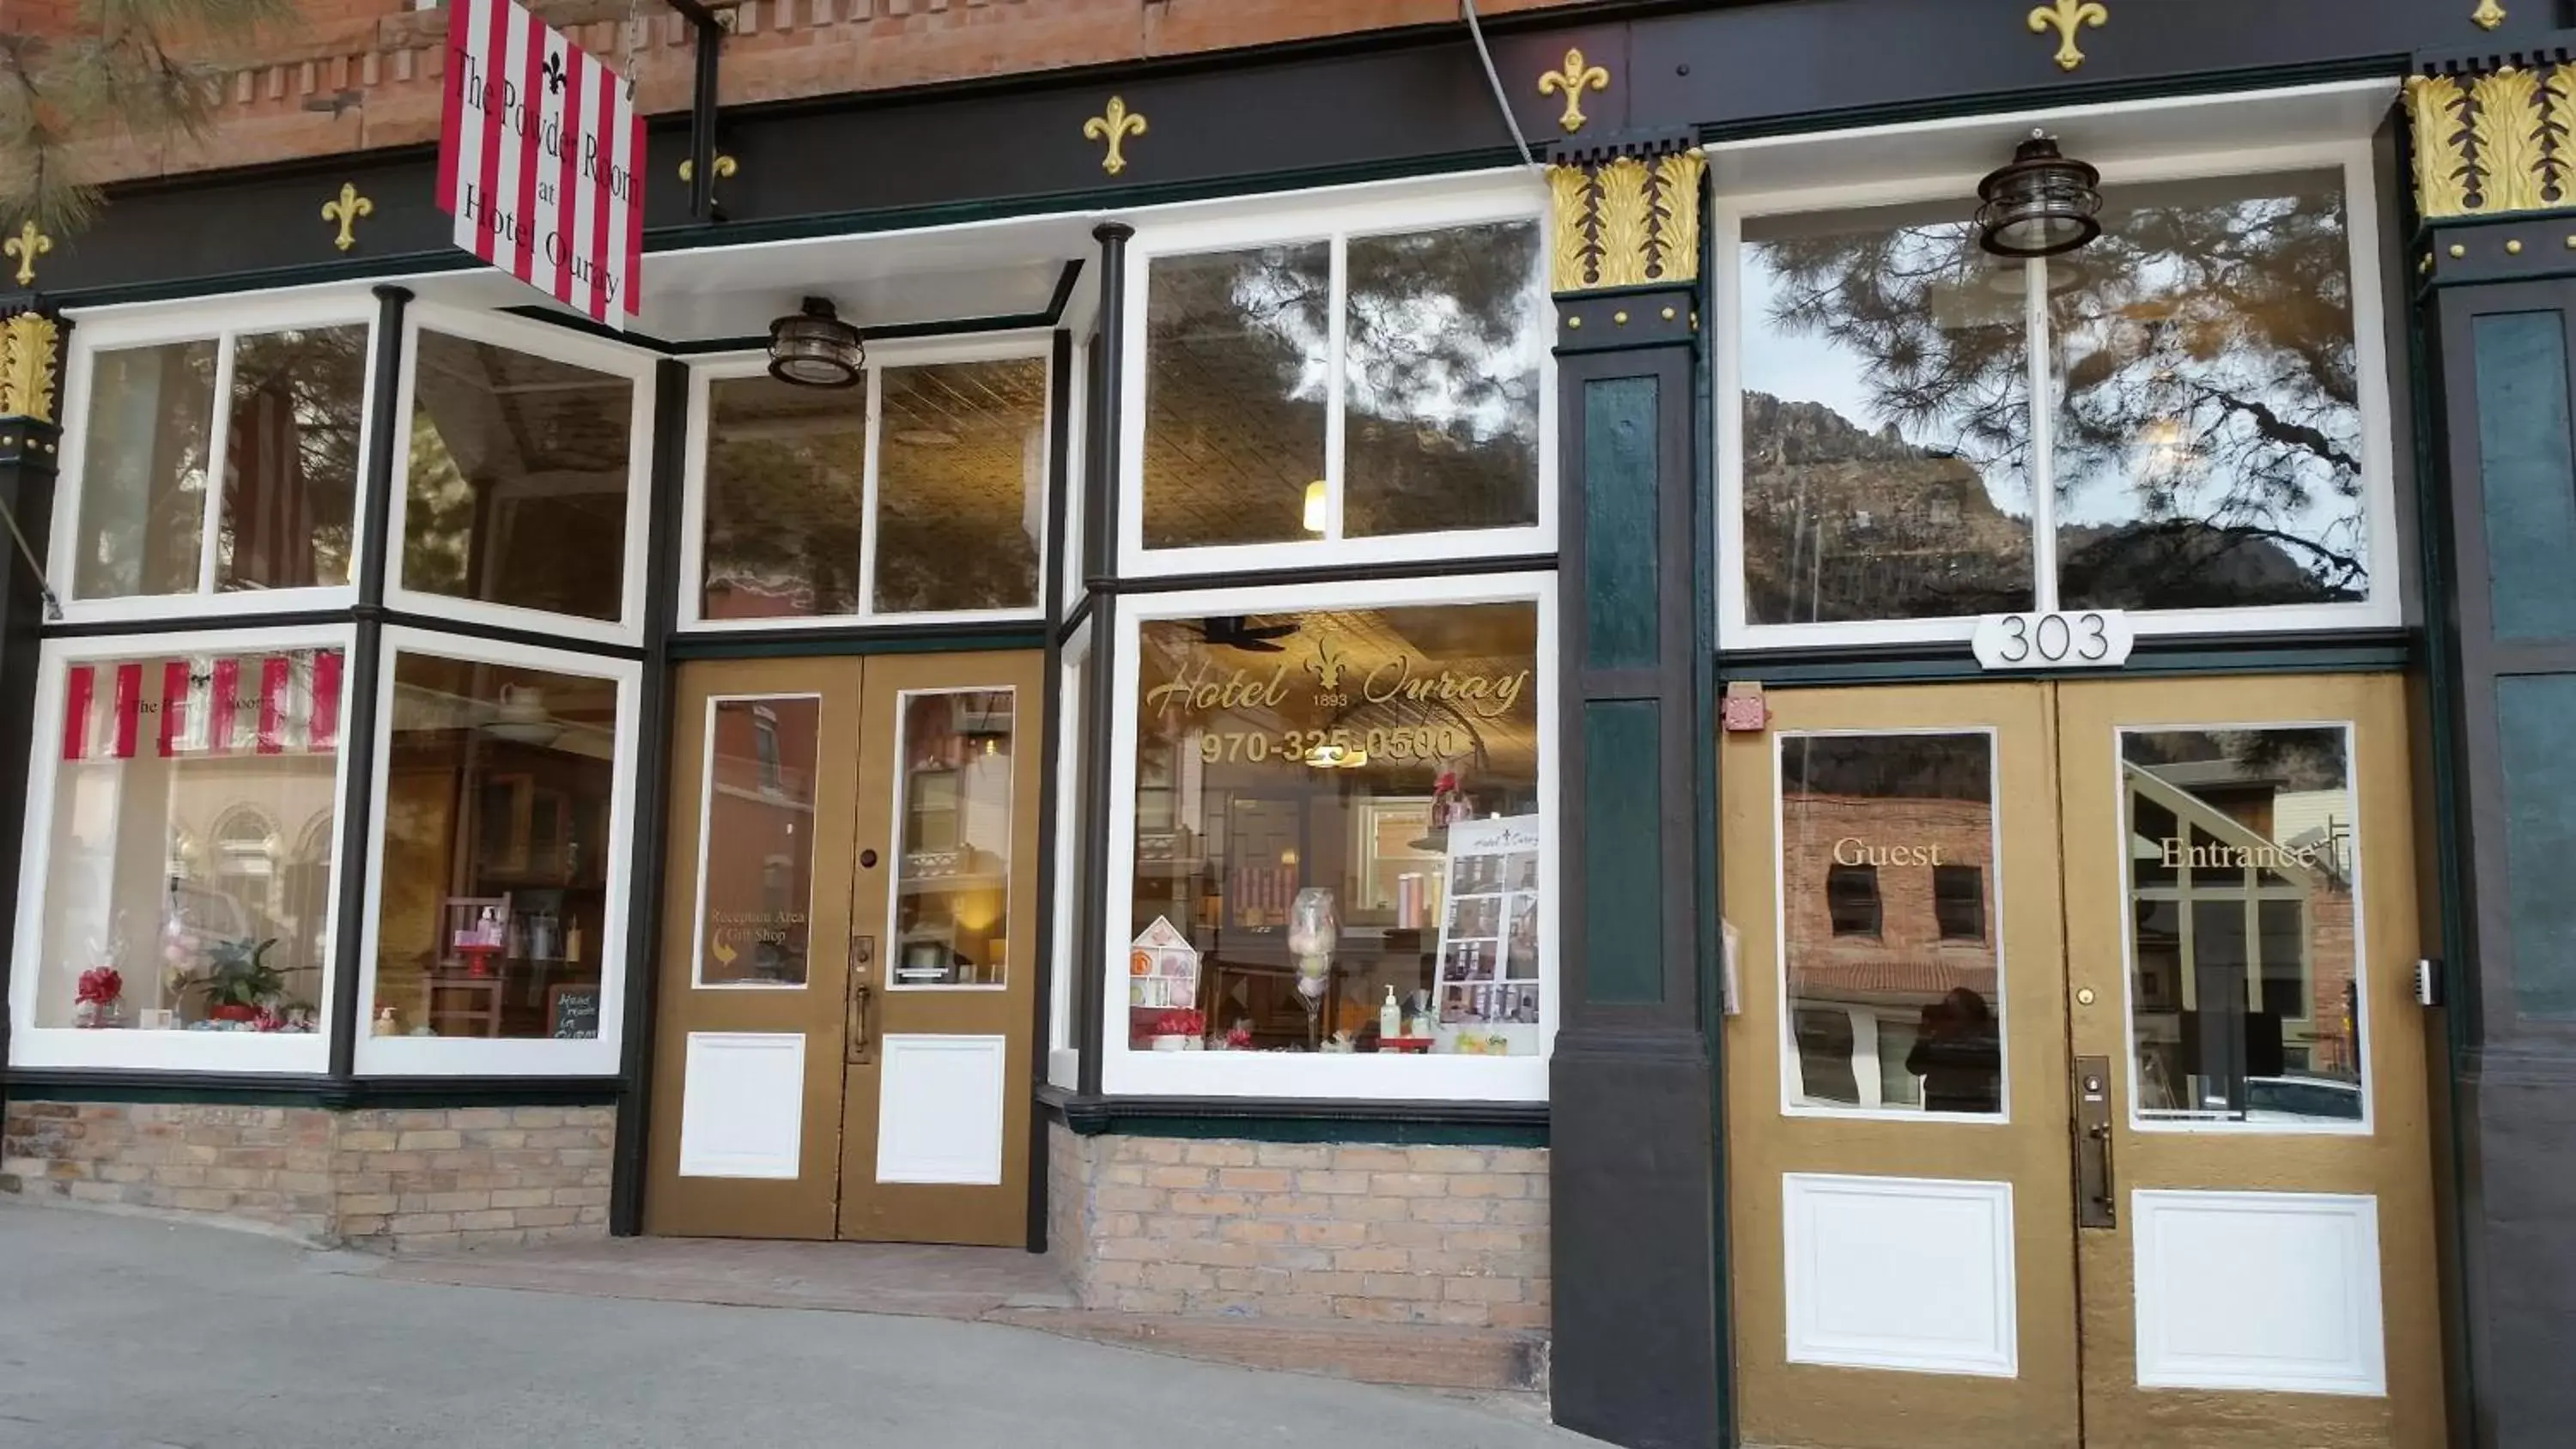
[(498, 897)]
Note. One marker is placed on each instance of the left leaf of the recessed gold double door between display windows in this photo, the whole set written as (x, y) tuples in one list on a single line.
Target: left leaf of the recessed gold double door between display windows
[(756, 966)]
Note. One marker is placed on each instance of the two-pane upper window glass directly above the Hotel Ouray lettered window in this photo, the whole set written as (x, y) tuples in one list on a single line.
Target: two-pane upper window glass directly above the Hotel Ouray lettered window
[(1354, 387)]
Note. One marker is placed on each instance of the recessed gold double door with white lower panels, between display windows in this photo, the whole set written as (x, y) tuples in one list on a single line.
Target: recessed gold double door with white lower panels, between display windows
[(844, 1038)]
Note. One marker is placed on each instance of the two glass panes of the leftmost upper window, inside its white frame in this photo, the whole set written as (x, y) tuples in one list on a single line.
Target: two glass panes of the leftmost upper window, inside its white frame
[(282, 503)]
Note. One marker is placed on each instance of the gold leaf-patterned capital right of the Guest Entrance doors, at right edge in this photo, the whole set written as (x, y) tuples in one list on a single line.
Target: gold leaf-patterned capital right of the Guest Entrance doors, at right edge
[(2495, 143)]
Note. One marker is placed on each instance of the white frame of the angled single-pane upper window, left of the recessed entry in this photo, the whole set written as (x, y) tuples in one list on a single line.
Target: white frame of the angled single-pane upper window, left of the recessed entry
[(558, 346)]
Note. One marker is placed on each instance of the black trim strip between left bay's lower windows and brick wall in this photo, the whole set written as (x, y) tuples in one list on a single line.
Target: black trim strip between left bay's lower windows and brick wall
[(256, 1090)]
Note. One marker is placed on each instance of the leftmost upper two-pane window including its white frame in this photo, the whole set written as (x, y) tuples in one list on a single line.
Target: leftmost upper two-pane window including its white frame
[(213, 459)]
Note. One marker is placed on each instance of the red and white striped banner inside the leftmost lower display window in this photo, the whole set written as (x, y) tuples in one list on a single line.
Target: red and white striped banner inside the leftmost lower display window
[(207, 704)]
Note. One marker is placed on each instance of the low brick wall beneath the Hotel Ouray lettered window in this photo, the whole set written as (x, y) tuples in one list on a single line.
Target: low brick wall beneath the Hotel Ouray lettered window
[(1305, 1232)]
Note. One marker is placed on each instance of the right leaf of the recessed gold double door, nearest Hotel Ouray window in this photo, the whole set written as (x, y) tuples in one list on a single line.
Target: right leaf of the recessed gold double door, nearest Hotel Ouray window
[(939, 1075)]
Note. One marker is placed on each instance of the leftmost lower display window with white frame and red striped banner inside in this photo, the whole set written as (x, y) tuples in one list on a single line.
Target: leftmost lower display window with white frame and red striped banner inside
[(182, 853)]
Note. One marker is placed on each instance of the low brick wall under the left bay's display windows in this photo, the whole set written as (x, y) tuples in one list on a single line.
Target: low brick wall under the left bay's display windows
[(390, 1180)]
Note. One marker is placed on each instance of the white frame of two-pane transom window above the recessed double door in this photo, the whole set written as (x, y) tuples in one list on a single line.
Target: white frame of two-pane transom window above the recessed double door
[(903, 354)]
